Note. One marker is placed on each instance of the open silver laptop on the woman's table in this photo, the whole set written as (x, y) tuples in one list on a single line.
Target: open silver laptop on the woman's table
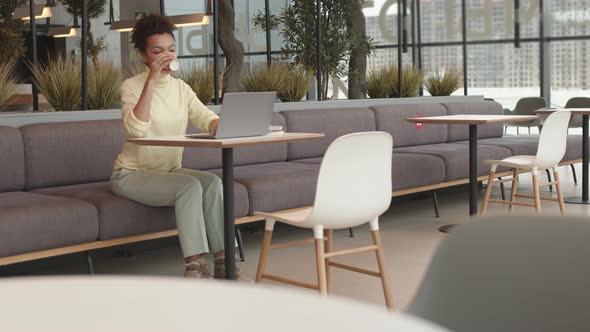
[(243, 115)]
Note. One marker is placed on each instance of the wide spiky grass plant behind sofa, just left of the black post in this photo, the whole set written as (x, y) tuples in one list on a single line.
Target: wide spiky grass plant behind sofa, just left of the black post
[(59, 81)]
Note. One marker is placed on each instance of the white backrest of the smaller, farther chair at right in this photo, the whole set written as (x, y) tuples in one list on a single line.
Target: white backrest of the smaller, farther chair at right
[(553, 139)]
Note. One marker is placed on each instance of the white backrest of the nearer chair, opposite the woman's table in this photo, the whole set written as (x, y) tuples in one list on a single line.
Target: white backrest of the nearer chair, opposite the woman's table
[(354, 183)]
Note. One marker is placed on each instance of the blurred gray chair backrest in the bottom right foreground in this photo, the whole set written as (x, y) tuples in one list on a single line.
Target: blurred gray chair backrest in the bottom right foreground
[(511, 274)]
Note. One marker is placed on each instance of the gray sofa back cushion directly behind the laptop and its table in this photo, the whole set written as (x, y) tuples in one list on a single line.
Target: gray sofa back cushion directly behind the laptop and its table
[(205, 159)]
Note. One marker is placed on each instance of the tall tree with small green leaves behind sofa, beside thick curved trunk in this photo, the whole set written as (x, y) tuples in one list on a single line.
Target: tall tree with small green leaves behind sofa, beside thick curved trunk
[(299, 36)]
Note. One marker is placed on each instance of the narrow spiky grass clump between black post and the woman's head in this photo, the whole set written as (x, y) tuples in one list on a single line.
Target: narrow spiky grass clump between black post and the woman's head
[(104, 84)]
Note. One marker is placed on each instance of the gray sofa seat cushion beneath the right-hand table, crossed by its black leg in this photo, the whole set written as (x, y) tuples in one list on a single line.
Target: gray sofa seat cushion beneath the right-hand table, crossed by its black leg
[(456, 157)]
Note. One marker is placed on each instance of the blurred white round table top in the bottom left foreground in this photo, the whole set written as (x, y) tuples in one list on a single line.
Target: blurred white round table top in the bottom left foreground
[(166, 304)]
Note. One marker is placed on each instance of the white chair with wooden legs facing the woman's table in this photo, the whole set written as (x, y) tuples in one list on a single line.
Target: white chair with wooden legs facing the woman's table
[(354, 188)]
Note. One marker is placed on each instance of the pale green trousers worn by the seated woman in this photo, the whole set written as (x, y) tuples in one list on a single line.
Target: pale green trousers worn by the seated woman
[(196, 196)]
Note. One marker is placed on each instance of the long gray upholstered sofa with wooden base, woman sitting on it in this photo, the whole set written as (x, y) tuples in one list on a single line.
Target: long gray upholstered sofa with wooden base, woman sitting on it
[(54, 189)]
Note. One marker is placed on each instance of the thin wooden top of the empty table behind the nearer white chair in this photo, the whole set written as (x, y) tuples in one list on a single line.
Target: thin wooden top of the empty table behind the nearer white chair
[(472, 119)]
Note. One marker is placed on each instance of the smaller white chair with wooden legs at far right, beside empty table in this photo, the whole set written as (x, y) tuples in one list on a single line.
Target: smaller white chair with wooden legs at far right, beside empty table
[(550, 151)]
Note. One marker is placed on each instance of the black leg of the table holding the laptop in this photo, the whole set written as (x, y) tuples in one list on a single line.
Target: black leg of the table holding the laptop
[(228, 213)]
